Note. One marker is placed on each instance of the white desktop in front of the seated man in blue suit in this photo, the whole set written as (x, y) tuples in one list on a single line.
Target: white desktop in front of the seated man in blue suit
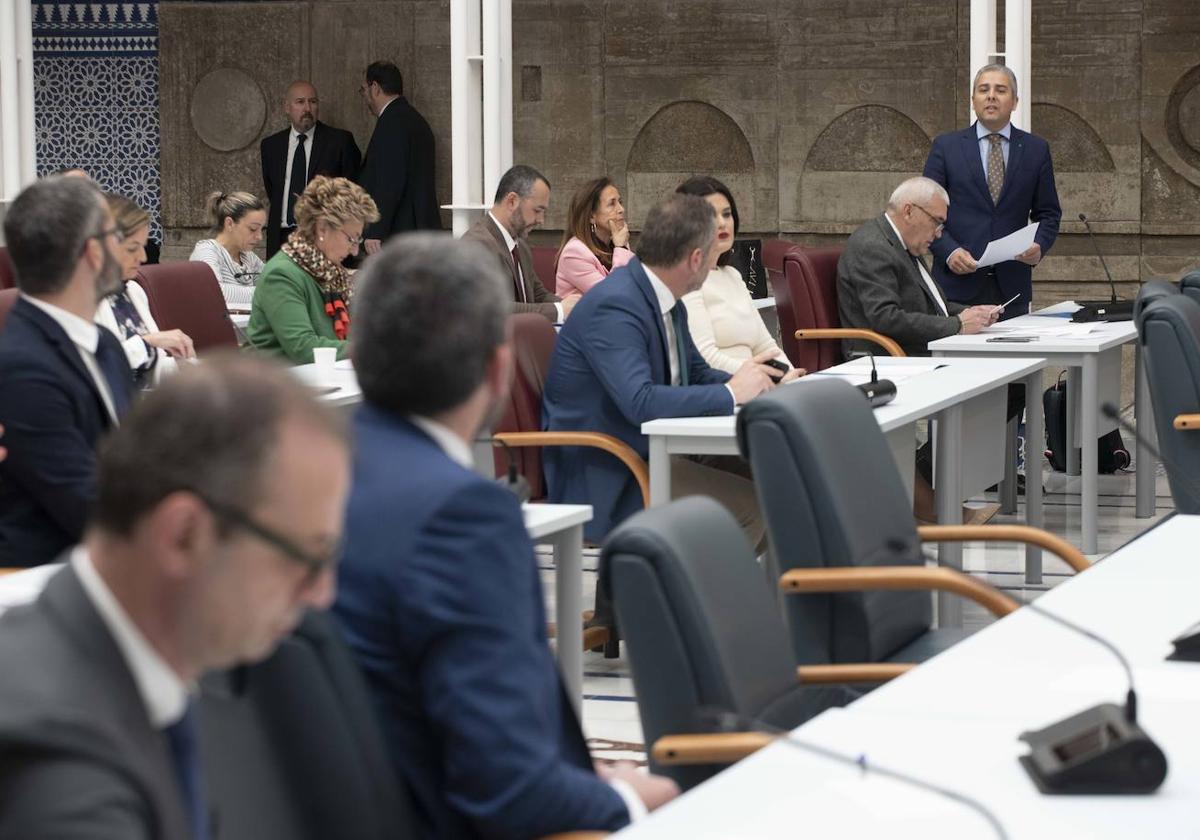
[(950, 381)]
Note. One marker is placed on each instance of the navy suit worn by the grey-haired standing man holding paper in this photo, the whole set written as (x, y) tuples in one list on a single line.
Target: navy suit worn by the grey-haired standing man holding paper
[(1029, 196)]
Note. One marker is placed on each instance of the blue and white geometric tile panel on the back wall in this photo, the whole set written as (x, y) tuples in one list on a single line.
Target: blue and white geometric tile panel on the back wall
[(97, 95)]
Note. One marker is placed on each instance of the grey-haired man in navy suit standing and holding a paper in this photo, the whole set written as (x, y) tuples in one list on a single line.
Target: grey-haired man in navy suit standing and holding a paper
[(1000, 179)]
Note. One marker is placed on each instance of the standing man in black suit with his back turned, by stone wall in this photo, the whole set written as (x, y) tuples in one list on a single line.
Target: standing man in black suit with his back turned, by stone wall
[(399, 169)]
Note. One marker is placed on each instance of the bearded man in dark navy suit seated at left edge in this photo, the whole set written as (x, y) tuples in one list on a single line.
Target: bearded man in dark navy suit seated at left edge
[(64, 381)]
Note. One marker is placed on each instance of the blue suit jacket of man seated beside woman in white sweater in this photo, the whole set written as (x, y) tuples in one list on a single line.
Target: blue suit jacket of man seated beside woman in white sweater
[(610, 374)]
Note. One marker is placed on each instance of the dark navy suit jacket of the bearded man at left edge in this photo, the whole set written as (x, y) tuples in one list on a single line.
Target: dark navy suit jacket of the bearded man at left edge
[(53, 417)]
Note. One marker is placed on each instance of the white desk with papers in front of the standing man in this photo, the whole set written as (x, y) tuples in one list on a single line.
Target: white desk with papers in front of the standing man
[(1087, 358)]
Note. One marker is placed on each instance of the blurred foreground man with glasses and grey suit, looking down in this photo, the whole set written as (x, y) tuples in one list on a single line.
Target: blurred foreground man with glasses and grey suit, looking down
[(218, 521)]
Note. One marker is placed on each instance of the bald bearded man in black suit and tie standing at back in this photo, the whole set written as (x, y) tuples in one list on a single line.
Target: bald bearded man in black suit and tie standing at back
[(298, 154)]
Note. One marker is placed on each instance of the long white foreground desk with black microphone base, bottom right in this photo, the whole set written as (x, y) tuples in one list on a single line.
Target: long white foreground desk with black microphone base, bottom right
[(956, 719)]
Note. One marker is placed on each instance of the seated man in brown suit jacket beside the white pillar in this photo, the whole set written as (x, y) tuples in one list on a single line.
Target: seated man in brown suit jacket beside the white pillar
[(523, 199)]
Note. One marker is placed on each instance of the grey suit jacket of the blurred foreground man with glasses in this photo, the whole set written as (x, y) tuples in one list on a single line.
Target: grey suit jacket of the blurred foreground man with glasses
[(79, 758)]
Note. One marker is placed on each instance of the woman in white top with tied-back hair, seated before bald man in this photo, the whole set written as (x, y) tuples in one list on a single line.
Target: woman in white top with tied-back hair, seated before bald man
[(238, 220)]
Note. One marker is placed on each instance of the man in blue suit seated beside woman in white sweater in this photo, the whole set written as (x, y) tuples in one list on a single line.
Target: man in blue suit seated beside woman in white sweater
[(626, 357)]
